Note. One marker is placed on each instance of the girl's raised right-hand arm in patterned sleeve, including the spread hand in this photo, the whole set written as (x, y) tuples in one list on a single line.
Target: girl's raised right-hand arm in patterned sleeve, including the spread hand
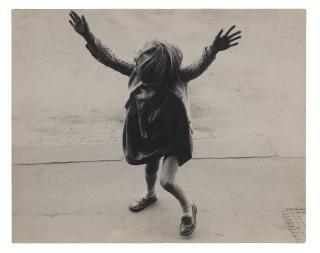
[(220, 43)]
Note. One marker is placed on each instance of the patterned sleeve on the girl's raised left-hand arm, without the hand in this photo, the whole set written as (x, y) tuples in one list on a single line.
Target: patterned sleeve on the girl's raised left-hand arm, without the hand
[(104, 55)]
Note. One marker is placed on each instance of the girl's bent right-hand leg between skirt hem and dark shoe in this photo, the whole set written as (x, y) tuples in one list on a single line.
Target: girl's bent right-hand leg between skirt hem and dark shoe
[(167, 180)]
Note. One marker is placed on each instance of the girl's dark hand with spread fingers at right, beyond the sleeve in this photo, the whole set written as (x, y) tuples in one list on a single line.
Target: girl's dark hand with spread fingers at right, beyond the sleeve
[(223, 42)]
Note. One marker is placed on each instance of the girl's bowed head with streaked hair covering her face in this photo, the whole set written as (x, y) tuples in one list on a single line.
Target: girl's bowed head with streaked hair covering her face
[(158, 62)]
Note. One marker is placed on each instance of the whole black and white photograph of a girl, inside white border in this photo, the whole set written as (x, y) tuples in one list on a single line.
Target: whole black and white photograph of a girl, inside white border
[(158, 125)]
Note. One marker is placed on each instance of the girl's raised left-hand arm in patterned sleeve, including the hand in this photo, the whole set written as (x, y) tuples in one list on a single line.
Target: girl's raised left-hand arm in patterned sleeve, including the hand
[(99, 51)]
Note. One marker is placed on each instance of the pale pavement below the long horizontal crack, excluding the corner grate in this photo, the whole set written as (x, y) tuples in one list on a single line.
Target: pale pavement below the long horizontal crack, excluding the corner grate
[(239, 200)]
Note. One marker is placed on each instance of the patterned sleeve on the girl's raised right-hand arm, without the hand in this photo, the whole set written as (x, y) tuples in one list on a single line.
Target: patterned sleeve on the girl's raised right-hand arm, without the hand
[(198, 67)]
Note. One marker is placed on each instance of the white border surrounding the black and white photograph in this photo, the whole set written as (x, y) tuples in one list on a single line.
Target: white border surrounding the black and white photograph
[(313, 125)]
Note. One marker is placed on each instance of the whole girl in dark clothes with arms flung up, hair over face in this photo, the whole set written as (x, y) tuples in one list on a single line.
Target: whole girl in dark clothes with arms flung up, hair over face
[(158, 111)]
